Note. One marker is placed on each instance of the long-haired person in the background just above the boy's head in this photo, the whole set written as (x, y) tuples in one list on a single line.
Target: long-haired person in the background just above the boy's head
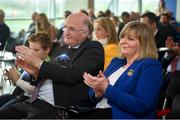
[(43, 25)]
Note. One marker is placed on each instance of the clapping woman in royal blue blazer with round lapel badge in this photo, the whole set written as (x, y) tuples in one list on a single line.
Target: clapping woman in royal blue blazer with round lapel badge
[(130, 86)]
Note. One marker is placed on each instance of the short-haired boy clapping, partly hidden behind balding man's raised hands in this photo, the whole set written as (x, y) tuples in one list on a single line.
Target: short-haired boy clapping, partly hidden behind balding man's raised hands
[(41, 43)]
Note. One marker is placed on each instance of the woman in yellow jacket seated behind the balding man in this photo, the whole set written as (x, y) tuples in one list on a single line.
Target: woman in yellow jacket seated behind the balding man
[(105, 33)]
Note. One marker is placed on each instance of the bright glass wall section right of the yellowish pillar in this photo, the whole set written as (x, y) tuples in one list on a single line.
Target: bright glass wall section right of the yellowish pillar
[(118, 6)]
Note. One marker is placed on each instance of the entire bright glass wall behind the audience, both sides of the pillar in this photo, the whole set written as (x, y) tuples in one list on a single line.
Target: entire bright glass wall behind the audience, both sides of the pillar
[(18, 12)]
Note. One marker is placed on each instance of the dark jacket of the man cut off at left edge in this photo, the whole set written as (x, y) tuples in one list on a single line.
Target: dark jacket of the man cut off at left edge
[(4, 34)]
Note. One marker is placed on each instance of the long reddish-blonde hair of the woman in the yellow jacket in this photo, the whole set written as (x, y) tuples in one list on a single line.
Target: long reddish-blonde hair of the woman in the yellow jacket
[(108, 26)]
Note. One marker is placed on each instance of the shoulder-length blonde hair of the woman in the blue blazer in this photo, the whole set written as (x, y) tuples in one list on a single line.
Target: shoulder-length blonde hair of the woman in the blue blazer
[(146, 38)]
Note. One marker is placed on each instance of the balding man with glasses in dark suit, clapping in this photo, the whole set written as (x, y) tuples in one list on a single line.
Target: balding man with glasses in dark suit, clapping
[(66, 71)]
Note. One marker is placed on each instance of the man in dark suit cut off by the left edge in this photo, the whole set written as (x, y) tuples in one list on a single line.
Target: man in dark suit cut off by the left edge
[(4, 30)]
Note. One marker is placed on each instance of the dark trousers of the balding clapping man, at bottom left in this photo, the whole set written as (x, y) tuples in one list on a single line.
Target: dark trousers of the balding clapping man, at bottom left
[(25, 109)]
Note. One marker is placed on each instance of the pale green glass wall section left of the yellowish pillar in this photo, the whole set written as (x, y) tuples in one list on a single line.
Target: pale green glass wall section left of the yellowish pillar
[(18, 12)]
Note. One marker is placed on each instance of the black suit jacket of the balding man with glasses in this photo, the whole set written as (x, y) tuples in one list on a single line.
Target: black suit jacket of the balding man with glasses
[(67, 75)]
